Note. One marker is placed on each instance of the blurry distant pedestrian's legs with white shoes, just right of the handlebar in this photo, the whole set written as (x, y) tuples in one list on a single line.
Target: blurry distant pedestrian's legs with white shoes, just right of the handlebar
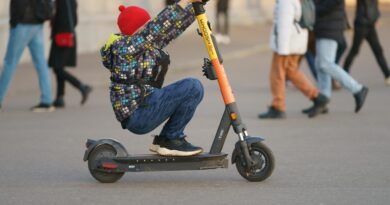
[(222, 14)]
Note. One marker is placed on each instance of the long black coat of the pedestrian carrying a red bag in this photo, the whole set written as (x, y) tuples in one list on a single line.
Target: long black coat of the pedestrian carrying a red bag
[(65, 20)]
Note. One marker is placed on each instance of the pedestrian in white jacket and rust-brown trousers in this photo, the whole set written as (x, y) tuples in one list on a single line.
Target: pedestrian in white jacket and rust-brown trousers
[(289, 43)]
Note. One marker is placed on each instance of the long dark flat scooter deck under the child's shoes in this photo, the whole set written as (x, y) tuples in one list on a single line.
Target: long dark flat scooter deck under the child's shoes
[(154, 162)]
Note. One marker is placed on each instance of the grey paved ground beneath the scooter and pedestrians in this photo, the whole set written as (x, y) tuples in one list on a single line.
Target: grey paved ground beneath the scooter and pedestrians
[(339, 158)]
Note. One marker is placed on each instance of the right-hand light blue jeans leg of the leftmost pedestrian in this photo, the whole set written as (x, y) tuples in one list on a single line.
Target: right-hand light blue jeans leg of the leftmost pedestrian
[(36, 47)]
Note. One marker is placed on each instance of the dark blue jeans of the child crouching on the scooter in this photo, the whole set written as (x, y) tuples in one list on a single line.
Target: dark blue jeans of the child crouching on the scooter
[(176, 102)]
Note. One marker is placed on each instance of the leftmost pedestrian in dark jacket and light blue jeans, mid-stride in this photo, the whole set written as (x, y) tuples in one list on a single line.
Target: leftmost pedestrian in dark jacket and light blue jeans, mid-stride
[(26, 31)]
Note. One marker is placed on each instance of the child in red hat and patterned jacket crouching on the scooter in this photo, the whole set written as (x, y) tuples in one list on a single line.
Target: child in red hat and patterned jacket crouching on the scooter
[(138, 66)]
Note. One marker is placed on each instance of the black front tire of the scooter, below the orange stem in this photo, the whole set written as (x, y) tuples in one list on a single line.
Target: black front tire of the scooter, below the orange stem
[(262, 154)]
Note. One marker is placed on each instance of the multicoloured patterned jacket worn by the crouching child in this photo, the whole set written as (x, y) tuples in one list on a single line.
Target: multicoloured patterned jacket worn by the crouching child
[(136, 58)]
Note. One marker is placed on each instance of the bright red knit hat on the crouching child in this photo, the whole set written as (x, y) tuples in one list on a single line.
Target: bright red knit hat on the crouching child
[(131, 19)]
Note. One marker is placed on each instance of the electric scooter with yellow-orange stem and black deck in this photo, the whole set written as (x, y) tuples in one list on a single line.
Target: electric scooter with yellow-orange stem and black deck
[(108, 159)]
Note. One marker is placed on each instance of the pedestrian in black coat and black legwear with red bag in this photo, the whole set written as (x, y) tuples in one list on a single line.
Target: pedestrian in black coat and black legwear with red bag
[(63, 51)]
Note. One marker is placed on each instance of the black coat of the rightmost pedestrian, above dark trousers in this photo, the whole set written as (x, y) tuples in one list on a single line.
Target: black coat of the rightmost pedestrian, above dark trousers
[(367, 12)]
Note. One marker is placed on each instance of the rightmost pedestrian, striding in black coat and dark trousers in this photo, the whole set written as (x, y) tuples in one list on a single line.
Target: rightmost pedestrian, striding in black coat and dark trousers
[(367, 14)]
